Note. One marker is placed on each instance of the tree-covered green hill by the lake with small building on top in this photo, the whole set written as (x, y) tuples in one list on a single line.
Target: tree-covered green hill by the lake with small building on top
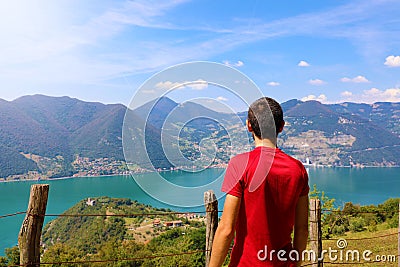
[(86, 233)]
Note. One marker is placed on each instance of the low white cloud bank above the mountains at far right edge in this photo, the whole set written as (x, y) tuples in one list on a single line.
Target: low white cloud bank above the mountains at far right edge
[(373, 95)]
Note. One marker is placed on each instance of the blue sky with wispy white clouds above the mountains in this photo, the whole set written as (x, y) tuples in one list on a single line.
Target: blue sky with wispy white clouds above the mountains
[(331, 51)]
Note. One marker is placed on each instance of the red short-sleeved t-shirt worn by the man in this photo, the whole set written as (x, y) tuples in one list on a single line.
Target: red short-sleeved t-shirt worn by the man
[(270, 183)]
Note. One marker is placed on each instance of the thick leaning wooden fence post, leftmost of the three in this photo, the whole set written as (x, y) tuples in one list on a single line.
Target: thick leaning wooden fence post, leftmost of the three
[(31, 229)]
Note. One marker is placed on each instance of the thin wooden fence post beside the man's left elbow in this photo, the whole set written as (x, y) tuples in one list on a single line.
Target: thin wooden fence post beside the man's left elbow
[(211, 205)]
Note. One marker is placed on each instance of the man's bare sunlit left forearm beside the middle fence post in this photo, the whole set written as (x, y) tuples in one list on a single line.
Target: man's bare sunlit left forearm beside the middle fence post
[(225, 231)]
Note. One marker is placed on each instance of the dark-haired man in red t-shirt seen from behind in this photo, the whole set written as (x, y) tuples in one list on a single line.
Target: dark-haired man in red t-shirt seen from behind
[(267, 198)]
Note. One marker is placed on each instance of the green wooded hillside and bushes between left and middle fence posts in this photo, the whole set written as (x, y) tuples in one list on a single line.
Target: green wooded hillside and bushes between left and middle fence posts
[(111, 238)]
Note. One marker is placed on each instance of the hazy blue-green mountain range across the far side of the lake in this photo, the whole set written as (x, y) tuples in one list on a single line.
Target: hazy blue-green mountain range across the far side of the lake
[(38, 132)]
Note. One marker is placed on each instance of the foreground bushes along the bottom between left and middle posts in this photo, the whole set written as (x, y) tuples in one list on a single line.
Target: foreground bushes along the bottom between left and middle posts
[(117, 252)]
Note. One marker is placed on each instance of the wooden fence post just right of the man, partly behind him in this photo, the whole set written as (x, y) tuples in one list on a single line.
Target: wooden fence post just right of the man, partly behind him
[(315, 231)]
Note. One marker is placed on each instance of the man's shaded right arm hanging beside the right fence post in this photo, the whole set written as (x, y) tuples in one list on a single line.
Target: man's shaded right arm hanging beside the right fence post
[(301, 226)]
